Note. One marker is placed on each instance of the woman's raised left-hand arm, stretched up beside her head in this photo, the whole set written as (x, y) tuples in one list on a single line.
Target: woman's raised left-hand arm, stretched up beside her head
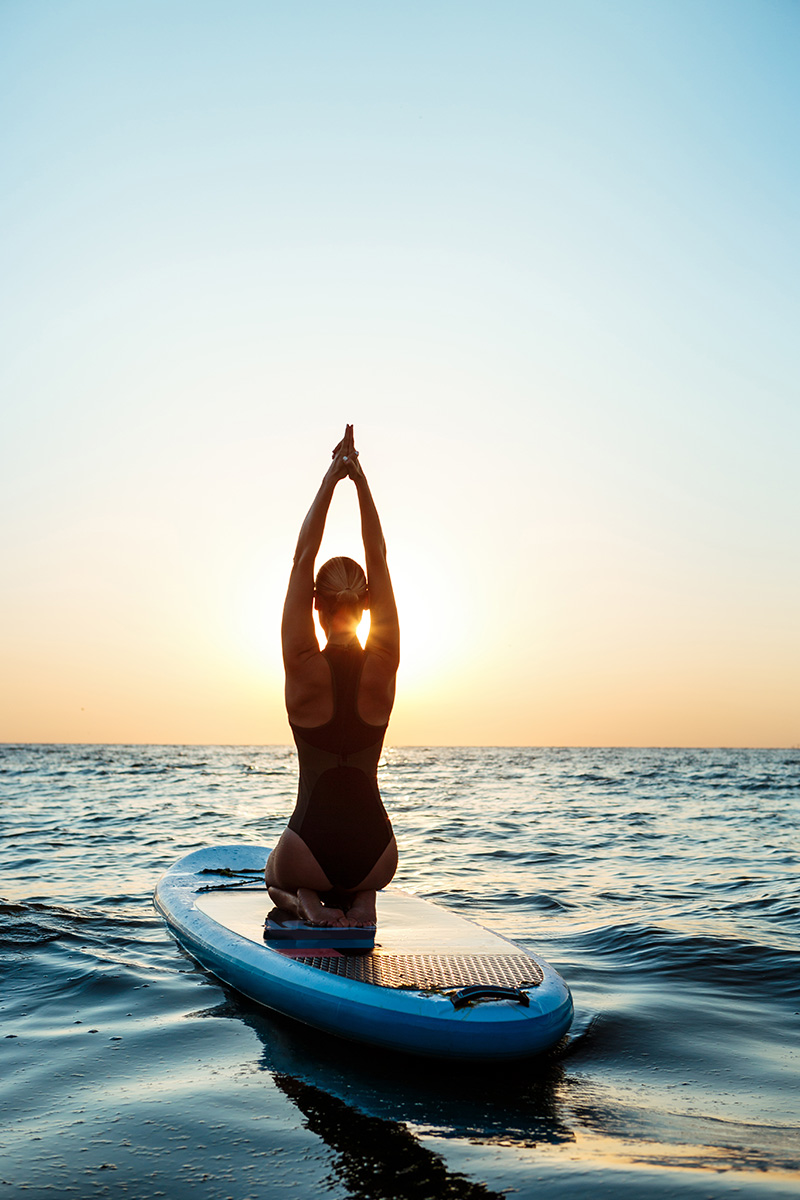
[(298, 633)]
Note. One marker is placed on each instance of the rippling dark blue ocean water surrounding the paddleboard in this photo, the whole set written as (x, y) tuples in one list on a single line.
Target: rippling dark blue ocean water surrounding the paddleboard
[(663, 884)]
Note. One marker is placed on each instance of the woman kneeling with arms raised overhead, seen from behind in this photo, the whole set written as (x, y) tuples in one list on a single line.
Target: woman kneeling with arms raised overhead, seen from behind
[(339, 848)]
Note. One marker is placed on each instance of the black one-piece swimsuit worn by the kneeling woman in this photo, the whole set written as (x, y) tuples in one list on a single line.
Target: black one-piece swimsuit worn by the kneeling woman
[(340, 814)]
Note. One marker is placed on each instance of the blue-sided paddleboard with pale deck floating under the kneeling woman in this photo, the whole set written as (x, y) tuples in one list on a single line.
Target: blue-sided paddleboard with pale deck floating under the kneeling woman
[(434, 983)]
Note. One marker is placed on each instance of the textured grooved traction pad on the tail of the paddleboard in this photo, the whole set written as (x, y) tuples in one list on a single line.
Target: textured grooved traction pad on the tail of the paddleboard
[(430, 973)]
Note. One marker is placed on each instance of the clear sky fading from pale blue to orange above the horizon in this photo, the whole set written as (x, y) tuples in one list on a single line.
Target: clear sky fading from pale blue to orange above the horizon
[(543, 255)]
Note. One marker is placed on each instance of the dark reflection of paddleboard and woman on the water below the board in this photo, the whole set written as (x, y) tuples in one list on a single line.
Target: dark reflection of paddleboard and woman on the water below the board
[(371, 1107)]
